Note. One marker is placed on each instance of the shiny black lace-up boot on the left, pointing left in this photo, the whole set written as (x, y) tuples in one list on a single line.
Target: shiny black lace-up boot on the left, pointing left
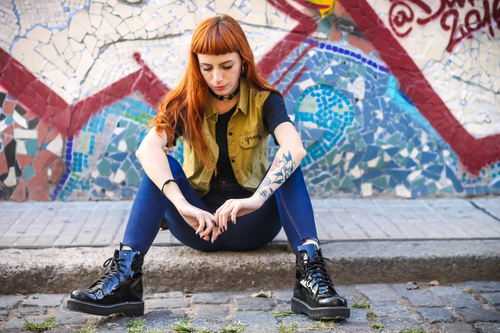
[(119, 290)]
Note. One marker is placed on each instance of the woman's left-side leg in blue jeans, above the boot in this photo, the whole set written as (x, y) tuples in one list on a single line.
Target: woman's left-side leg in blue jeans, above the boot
[(150, 206)]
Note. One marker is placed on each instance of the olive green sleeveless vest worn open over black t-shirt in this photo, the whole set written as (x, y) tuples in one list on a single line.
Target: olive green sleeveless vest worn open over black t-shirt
[(247, 141)]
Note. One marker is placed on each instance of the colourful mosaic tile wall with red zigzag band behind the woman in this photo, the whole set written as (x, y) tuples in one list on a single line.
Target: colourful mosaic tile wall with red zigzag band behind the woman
[(392, 98)]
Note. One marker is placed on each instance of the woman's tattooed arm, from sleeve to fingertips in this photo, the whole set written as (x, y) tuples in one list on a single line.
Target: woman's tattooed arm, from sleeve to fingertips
[(287, 159)]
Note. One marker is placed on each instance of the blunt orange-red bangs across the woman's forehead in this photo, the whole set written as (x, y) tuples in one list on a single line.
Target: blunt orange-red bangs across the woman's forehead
[(215, 38)]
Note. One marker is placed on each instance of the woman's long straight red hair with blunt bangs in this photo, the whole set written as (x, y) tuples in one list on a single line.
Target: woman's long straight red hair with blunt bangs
[(185, 105)]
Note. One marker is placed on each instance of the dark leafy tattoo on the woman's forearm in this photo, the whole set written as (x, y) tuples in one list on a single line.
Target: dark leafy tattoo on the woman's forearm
[(278, 173)]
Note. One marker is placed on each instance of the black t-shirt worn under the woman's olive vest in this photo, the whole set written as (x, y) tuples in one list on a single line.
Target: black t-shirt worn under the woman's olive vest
[(273, 114)]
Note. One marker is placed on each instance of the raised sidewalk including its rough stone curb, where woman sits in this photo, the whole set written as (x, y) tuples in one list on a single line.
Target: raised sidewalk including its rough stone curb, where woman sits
[(53, 247)]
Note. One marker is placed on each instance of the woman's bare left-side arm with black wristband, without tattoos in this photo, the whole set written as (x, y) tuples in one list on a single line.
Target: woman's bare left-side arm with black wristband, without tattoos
[(155, 164)]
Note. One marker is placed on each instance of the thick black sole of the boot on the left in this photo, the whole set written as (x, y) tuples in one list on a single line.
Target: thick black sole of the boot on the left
[(129, 309)]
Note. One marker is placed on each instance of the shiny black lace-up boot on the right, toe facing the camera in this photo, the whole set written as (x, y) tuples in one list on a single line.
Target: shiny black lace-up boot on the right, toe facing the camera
[(314, 293)]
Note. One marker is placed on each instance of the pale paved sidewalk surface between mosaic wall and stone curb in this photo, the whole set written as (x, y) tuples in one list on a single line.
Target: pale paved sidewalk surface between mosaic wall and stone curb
[(60, 224)]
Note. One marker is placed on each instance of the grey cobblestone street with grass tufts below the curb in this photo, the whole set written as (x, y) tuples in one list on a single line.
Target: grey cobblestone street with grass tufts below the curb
[(459, 308)]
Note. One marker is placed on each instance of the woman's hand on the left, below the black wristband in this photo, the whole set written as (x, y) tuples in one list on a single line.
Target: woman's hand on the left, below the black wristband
[(200, 220)]
